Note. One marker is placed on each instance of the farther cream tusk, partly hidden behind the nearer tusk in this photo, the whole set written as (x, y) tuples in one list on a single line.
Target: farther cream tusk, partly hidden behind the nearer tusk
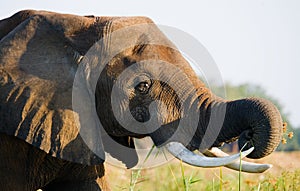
[(246, 166)]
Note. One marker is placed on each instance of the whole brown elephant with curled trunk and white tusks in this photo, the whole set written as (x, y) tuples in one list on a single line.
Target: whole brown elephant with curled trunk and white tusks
[(74, 87)]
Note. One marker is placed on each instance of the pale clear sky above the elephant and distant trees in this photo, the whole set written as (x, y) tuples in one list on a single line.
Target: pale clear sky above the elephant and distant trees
[(251, 41)]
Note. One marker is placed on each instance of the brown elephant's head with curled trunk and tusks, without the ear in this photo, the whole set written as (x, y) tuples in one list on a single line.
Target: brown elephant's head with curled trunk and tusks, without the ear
[(153, 91)]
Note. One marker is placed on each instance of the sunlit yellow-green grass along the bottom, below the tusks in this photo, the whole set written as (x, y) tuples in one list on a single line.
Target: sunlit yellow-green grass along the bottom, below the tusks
[(177, 177)]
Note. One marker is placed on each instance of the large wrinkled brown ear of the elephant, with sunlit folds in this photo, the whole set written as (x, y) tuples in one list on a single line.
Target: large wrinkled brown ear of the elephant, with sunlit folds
[(39, 57)]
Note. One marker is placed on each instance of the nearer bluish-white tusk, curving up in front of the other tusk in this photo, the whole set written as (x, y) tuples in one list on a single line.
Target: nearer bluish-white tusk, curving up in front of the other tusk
[(187, 156)]
